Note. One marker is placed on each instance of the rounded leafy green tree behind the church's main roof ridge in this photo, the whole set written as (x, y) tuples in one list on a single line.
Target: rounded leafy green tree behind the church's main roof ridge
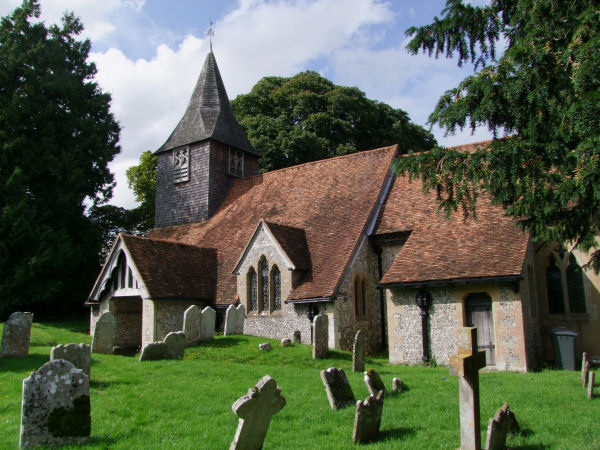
[(307, 118)]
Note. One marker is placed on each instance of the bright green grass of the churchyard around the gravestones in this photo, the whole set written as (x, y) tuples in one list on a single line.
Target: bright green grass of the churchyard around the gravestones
[(187, 404)]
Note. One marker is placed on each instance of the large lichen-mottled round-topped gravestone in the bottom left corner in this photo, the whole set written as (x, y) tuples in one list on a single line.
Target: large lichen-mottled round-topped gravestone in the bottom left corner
[(55, 409)]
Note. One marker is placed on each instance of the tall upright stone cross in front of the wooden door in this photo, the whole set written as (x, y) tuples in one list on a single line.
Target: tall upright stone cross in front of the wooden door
[(466, 365)]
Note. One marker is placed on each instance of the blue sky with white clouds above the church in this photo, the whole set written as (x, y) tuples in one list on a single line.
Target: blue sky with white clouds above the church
[(149, 54)]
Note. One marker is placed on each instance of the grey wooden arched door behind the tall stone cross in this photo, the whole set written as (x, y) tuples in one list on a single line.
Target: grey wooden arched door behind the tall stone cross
[(479, 314)]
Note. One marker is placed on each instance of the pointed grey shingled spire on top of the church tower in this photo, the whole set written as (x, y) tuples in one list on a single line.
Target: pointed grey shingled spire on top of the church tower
[(208, 114)]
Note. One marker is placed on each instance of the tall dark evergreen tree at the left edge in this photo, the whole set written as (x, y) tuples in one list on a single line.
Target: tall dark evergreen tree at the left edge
[(57, 136)]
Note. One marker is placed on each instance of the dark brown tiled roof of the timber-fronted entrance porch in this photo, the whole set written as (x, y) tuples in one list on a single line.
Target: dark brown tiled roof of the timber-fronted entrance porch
[(172, 270)]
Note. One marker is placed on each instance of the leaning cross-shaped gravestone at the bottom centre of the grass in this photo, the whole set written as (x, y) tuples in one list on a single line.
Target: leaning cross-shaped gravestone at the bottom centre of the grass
[(255, 410)]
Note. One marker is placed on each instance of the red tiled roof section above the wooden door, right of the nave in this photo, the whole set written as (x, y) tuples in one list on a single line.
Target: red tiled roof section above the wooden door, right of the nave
[(443, 250)]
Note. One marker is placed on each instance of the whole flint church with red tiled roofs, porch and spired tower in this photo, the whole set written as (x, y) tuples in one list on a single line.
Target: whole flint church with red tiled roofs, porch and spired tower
[(343, 236)]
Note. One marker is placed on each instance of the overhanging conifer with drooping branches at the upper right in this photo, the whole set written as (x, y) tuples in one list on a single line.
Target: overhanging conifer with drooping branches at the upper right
[(542, 93)]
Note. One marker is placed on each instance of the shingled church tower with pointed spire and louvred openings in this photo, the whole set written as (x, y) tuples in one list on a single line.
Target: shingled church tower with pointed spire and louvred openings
[(202, 157)]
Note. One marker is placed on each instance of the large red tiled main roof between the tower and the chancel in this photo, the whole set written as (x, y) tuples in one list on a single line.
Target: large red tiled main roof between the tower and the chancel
[(331, 200)]
